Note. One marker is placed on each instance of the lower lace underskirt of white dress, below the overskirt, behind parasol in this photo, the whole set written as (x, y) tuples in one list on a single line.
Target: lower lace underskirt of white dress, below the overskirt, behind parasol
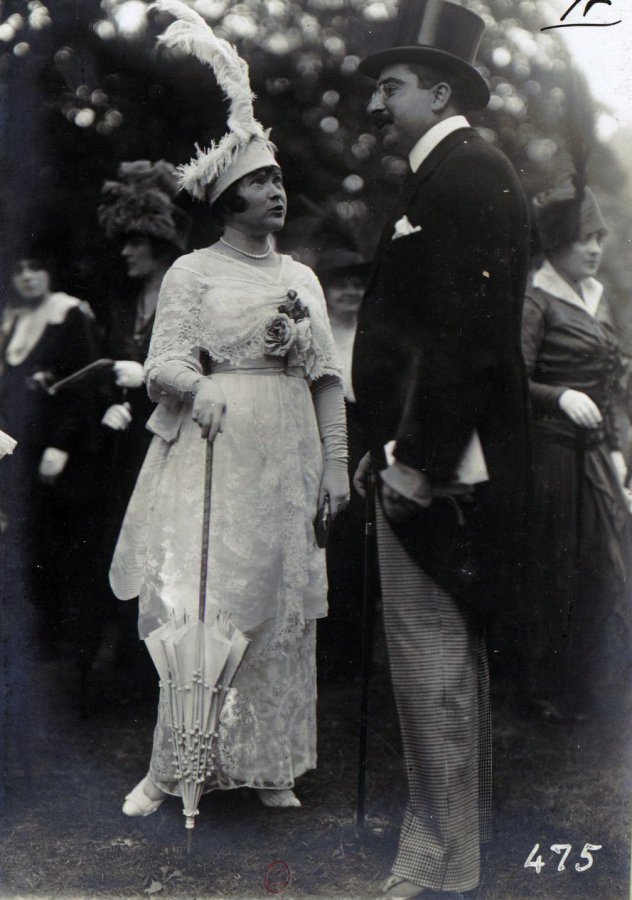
[(267, 732)]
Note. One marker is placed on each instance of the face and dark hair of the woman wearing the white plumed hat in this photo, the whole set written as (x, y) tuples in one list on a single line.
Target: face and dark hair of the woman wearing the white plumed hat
[(265, 195)]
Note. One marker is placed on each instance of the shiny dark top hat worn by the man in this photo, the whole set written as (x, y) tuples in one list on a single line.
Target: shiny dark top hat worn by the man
[(440, 35)]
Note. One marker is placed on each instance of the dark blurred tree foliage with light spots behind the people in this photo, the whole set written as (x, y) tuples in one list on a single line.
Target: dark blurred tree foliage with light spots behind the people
[(84, 88)]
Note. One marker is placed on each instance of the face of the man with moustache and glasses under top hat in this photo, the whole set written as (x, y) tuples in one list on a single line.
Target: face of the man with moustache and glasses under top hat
[(401, 109)]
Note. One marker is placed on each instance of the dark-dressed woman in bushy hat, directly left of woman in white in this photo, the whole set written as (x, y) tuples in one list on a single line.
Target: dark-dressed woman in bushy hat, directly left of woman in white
[(139, 210)]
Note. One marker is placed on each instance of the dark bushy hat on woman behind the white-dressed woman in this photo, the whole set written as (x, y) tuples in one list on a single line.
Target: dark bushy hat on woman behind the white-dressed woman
[(141, 202)]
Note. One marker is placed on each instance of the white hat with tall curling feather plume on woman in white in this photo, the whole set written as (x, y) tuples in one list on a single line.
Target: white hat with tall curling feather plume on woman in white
[(246, 147)]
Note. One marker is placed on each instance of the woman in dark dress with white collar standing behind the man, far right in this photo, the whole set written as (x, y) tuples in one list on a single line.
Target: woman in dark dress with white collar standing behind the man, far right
[(579, 587)]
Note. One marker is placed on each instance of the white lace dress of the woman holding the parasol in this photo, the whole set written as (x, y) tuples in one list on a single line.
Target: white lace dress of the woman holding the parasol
[(265, 570)]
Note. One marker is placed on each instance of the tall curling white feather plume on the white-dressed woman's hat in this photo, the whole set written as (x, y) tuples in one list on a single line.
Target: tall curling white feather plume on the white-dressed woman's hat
[(194, 36)]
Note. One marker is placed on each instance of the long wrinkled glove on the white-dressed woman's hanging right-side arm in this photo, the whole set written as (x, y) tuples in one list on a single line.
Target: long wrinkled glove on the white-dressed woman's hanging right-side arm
[(332, 423)]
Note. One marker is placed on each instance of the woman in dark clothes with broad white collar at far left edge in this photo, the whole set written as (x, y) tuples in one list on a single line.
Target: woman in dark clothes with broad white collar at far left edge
[(46, 484)]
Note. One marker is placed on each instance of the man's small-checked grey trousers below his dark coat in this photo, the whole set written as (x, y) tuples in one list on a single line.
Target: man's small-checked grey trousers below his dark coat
[(440, 680)]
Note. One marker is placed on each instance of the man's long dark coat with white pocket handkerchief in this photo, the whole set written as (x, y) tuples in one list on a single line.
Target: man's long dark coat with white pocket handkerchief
[(438, 355)]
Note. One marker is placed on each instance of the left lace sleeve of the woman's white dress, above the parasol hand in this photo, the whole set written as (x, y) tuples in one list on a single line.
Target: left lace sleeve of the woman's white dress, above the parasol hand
[(175, 346)]
